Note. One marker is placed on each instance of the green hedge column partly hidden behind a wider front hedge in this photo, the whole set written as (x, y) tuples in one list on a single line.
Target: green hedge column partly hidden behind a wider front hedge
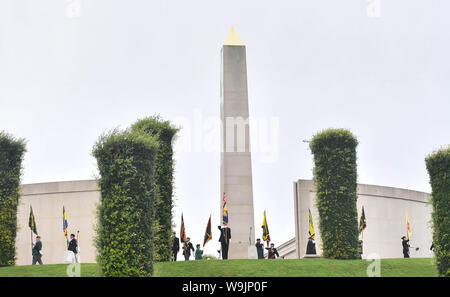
[(164, 132)]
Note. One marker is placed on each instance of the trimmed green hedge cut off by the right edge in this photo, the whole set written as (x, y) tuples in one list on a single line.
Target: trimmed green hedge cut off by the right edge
[(438, 166)]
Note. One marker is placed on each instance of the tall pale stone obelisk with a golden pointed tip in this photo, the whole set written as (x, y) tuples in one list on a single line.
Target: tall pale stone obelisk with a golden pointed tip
[(236, 165)]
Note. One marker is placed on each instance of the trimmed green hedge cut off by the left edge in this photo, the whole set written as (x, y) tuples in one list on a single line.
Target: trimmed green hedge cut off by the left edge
[(12, 151)]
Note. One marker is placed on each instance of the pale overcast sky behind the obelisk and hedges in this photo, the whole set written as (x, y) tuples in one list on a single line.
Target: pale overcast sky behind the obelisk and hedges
[(380, 68)]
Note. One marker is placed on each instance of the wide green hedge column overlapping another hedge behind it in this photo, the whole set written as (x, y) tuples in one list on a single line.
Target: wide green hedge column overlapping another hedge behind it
[(125, 214)]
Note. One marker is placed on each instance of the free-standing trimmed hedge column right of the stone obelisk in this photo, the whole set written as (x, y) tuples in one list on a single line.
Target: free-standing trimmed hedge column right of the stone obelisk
[(335, 181)]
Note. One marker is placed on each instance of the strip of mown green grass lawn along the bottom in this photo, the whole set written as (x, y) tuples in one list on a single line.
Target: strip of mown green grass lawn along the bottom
[(255, 268)]
